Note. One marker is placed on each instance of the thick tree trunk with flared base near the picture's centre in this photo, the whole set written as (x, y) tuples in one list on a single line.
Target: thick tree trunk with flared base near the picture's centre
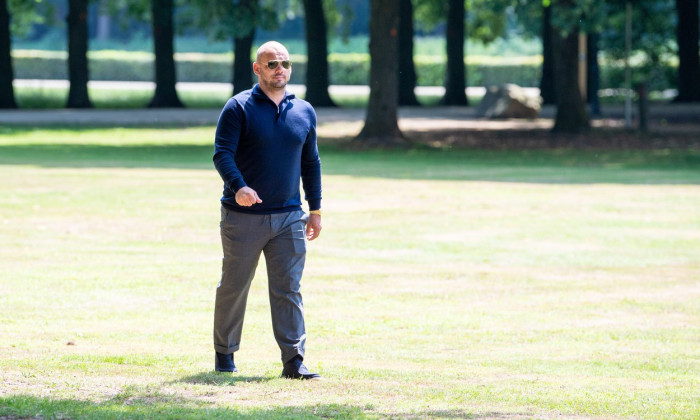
[(381, 124)]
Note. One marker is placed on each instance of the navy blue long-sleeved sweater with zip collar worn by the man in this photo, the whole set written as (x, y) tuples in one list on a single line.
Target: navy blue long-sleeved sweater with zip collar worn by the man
[(268, 148)]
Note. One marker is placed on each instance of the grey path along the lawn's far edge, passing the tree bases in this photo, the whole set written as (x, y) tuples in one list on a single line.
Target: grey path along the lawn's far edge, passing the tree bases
[(669, 118)]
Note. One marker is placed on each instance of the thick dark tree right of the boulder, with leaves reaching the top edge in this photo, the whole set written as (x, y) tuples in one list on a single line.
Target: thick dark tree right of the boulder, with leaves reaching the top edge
[(571, 114)]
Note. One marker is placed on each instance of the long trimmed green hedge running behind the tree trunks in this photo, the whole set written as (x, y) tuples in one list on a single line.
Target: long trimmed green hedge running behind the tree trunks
[(345, 69)]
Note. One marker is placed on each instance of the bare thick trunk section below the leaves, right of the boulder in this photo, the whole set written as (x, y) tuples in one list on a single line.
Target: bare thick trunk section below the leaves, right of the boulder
[(571, 110)]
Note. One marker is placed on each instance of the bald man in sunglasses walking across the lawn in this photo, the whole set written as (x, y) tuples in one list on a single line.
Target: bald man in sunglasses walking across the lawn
[(266, 143)]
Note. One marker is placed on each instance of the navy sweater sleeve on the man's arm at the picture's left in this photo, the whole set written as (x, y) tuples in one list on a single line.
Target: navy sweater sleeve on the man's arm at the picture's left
[(228, 134)]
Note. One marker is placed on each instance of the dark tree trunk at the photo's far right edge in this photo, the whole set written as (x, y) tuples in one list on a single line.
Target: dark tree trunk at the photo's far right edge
[(688, 37)]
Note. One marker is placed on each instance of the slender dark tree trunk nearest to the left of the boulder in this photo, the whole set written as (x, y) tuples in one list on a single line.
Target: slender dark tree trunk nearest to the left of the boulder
[(455, 80)]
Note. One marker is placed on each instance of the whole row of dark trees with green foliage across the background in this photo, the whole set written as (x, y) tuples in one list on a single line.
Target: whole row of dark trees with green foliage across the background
[(661, 28)]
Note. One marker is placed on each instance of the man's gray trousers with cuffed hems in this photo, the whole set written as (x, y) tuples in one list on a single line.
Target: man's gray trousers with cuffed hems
[(281, 237)]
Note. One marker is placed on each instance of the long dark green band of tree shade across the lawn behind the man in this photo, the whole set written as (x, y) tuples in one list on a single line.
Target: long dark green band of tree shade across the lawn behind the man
[(555, 166)]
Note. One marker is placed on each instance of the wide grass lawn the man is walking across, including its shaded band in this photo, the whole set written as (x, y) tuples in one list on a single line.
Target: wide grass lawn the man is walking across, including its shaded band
[(446, 284)]
